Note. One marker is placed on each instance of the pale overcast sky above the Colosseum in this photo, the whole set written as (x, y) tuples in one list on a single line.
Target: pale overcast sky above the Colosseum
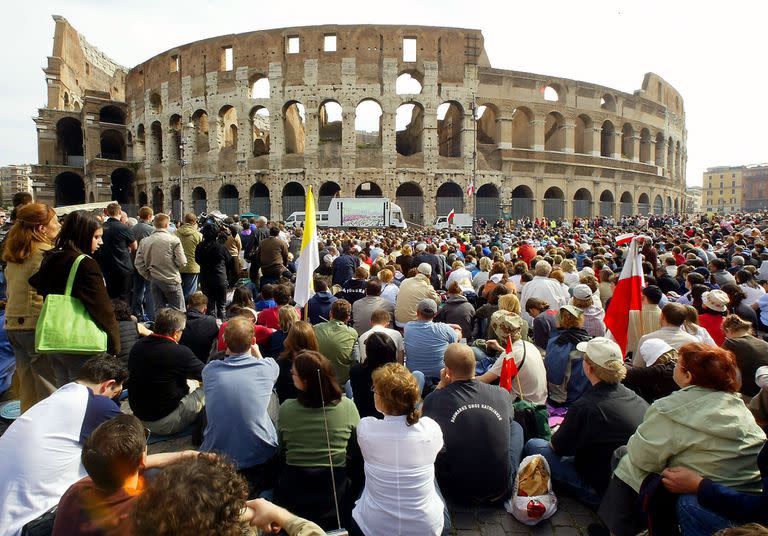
[(711, 52)]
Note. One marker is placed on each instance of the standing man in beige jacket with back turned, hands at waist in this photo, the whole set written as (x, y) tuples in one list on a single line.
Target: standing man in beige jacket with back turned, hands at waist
[(158, 260)]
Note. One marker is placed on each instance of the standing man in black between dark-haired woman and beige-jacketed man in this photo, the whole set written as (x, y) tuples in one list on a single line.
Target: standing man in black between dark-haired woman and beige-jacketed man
[(115, 255)]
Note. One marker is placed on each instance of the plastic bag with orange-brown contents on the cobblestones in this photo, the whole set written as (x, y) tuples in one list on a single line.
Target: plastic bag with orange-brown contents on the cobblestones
[(533, 476)]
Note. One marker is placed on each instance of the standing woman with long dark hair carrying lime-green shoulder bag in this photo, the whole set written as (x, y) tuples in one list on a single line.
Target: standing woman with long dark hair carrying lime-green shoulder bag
[(80, 235)]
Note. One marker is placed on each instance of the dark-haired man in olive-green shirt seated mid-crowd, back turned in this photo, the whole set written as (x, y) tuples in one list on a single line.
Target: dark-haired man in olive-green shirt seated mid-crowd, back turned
[(336, 340)]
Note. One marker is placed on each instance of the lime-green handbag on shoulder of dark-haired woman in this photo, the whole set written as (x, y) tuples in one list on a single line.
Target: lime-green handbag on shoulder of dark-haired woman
[(65, 326)]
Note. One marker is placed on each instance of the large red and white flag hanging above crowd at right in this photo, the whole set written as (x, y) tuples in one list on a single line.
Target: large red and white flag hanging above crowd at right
[(626, 296)]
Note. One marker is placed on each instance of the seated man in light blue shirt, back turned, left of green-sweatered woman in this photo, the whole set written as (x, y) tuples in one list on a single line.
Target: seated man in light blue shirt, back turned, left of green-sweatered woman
[(237, 393)]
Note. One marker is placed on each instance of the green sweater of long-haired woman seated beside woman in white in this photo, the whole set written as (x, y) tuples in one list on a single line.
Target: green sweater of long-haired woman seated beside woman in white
[(301, 433)]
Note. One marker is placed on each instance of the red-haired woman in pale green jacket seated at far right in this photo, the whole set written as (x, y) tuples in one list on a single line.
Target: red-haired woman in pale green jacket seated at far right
[(704, 426)]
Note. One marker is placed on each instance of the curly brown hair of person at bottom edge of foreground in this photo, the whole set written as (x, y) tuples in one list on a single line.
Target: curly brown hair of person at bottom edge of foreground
[(202, 496)]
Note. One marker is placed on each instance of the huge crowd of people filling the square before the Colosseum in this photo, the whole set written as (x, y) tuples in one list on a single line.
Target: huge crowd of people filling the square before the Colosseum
[(388, 395)]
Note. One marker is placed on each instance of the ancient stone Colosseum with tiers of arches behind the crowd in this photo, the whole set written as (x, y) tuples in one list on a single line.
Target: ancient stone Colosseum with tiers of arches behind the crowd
[(246, 122)]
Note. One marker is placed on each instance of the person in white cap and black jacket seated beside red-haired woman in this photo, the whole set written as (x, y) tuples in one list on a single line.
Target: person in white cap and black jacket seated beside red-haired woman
[(600, 421)]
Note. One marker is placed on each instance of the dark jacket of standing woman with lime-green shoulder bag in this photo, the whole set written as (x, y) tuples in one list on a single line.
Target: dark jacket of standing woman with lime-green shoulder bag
[(89, 288)]
